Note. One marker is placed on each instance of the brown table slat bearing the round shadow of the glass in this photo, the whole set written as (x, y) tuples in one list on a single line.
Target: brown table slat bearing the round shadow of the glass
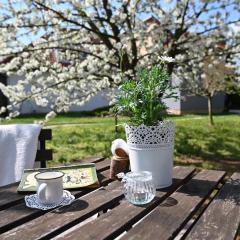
[(168, 219)]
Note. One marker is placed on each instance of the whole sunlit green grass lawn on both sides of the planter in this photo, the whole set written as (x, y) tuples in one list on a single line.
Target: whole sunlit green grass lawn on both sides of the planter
[(196, 142)]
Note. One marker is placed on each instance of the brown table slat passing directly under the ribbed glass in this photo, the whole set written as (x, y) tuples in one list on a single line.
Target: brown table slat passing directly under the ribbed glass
[(116, 221)]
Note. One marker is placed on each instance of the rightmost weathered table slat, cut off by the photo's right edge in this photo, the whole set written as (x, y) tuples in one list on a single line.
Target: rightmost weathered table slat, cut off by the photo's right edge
[(222, 217)]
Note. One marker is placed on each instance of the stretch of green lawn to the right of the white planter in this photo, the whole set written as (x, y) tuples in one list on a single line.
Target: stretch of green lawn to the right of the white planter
[(208, 147)]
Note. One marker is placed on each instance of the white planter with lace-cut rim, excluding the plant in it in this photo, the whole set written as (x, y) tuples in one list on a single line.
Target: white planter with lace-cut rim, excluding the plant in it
[(151, 149)]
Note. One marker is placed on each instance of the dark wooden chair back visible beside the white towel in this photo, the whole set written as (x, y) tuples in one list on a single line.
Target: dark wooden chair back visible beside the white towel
[(44, 154)]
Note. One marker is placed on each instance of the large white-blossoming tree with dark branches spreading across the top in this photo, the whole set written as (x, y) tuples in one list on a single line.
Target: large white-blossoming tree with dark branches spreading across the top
[(67, 51)]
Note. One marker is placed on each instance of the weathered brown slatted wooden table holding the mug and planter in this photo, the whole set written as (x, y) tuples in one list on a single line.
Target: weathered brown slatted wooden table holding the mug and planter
[(199, 205)]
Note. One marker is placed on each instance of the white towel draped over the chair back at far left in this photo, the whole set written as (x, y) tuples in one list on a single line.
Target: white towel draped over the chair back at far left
[(18, 148)]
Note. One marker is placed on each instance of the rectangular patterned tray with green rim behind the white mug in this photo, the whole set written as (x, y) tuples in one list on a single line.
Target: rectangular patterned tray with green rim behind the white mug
[(75, 176)]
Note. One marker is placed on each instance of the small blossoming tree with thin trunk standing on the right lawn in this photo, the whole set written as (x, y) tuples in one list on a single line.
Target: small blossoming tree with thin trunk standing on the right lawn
[(210, 77)]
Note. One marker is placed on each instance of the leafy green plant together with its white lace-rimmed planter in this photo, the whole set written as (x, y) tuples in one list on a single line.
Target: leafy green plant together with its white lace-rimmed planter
[(150, 139)]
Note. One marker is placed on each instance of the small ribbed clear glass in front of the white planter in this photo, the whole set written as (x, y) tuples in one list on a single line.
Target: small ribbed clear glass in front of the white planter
[(138, 187)]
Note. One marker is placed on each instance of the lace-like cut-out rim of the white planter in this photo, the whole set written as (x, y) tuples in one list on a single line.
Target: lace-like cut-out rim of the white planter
[(151, 136)]
